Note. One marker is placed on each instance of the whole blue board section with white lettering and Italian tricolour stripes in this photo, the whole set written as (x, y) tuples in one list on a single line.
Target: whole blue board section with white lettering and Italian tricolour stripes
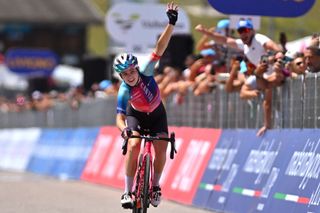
[(275, 173)]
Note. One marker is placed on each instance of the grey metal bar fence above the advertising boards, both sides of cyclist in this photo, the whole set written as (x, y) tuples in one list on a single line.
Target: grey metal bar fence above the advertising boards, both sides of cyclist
[(295, 105)]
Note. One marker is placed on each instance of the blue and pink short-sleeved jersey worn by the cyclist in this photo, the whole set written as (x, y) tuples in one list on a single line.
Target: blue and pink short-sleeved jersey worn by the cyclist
[(145, 96)]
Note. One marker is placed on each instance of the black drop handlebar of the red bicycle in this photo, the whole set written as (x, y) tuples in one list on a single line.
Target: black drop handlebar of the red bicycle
[(152, 138)]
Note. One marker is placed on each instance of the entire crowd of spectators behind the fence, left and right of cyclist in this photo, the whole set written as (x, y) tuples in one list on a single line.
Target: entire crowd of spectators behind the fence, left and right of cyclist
[(251, 65)]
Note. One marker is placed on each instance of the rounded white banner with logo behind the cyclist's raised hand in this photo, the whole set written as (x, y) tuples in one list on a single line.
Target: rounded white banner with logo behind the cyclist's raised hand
[(137, 26)]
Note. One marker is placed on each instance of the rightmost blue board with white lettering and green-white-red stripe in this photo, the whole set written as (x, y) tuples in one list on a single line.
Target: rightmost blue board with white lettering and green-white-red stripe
[(297, 188)]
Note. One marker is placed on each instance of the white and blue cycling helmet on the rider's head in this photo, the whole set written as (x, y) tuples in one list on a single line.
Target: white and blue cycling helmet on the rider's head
[(123, 61)]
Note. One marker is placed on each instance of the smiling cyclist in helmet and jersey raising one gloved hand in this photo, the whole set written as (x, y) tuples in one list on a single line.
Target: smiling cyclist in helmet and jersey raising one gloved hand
[(139, 107)]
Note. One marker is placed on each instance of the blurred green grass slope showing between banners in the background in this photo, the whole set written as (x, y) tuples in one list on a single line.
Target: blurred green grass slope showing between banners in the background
[(294, 27)]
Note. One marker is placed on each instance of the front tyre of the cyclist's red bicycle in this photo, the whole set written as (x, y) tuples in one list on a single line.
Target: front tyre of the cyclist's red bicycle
[(146, 185)]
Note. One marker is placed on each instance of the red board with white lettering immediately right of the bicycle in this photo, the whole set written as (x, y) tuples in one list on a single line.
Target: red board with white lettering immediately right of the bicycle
[(195, 149)]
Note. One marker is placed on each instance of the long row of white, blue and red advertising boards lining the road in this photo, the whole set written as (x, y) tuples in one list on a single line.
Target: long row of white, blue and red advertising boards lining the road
[(221, 170)]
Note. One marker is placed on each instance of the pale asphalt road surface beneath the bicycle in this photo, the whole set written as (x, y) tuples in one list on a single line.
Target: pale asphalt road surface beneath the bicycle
[(30, 193)]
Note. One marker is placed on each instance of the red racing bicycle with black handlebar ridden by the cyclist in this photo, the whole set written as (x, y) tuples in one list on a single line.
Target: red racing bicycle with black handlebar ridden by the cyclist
[(142, 188)]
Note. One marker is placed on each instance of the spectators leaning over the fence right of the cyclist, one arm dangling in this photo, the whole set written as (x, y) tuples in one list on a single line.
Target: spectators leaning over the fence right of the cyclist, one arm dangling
[(251, 65)]
